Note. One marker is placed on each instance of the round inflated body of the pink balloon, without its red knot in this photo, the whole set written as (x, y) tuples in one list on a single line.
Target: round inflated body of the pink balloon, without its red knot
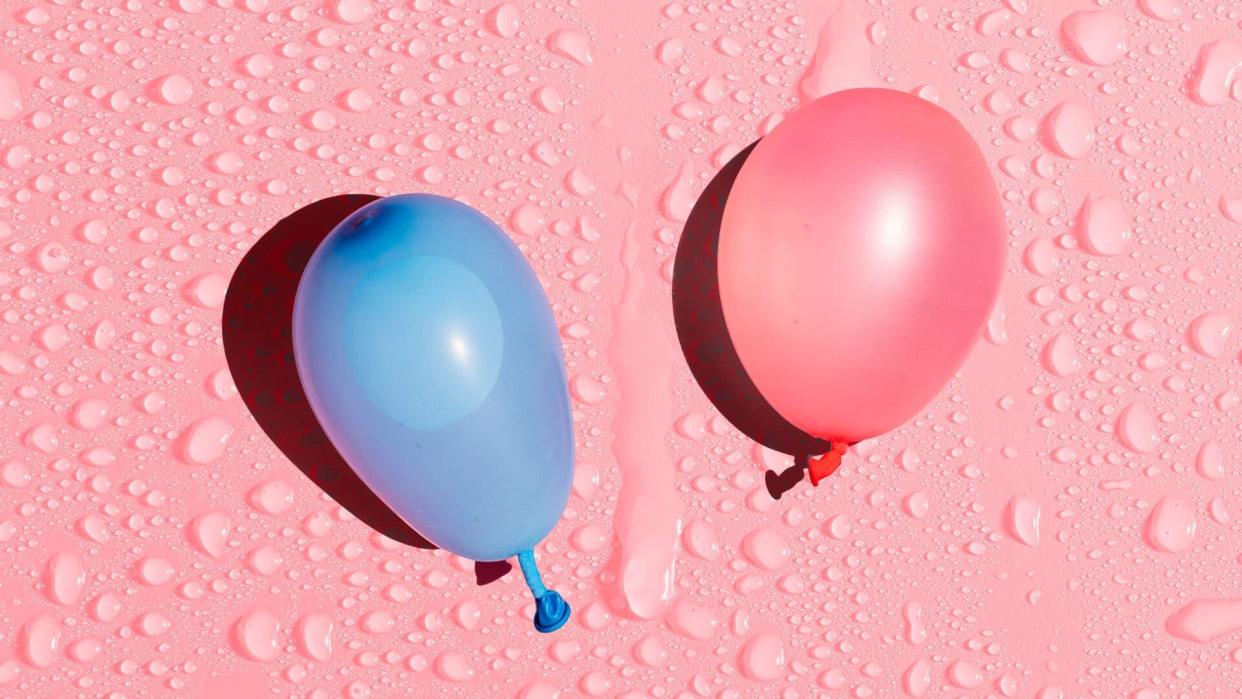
[(861, 253)]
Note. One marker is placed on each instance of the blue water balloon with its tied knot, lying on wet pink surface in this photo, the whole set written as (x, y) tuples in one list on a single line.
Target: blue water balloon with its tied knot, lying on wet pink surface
[(430, 356)]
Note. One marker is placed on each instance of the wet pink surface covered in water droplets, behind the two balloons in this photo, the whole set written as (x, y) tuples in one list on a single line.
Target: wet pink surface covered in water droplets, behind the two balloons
[(1033, 533)]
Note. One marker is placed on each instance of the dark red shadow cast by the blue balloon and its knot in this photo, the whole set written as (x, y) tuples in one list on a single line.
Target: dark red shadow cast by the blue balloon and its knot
[(259, 347)]
